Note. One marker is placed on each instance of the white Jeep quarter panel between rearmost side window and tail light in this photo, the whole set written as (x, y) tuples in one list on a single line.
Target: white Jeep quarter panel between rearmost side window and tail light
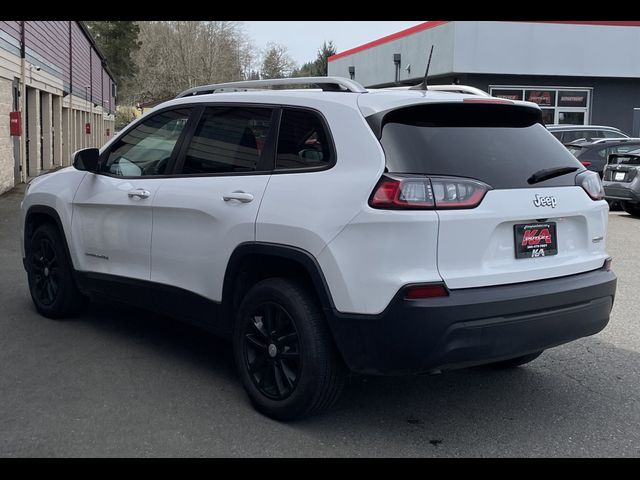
[(308, 210)]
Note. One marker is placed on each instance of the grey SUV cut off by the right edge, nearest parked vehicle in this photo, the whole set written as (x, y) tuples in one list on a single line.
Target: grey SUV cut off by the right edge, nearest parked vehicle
[(621, 179)]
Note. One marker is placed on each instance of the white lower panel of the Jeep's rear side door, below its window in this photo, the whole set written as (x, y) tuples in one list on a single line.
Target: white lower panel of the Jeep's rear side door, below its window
[(195, 231)]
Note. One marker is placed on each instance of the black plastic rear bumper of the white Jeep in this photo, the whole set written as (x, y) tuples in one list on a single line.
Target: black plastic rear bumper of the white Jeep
[(475, 326)]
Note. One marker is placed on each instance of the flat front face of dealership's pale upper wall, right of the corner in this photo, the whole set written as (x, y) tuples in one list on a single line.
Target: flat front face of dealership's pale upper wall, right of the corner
[(547, 48)]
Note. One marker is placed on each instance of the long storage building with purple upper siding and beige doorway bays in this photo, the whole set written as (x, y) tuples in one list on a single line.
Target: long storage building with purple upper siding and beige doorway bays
[(62, 68)]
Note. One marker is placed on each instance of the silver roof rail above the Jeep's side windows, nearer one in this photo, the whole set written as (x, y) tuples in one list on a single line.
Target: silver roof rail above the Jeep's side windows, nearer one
[(327, 84)]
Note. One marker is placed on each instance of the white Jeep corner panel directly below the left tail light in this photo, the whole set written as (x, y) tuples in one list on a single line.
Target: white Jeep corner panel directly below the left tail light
[(376, 254)]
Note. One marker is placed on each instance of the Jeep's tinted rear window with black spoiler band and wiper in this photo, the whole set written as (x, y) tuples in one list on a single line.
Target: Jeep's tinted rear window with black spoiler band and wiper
[(495, 145)]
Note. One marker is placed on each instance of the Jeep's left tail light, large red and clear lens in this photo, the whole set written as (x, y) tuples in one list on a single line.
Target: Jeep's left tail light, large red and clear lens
[(413, 192)]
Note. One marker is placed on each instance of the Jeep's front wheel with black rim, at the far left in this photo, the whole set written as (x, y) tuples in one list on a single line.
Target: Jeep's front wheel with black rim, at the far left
[(50, 275)]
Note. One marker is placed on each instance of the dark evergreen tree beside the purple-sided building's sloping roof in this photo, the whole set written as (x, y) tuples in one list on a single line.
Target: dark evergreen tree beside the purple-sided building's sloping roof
[(117, 40)]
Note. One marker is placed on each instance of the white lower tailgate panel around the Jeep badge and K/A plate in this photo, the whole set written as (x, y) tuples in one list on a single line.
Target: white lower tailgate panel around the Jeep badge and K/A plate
[(477, 247)]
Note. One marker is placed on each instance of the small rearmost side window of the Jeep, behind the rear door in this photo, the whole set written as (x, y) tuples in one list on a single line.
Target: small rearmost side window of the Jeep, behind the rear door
[(302, 142)]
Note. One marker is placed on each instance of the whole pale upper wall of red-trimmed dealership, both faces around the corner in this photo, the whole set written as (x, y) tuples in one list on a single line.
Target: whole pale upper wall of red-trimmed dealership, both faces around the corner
[(505, 48)]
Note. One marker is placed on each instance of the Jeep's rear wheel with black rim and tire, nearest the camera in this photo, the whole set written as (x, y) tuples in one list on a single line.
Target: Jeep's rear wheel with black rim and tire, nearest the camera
[(284, 351)]
